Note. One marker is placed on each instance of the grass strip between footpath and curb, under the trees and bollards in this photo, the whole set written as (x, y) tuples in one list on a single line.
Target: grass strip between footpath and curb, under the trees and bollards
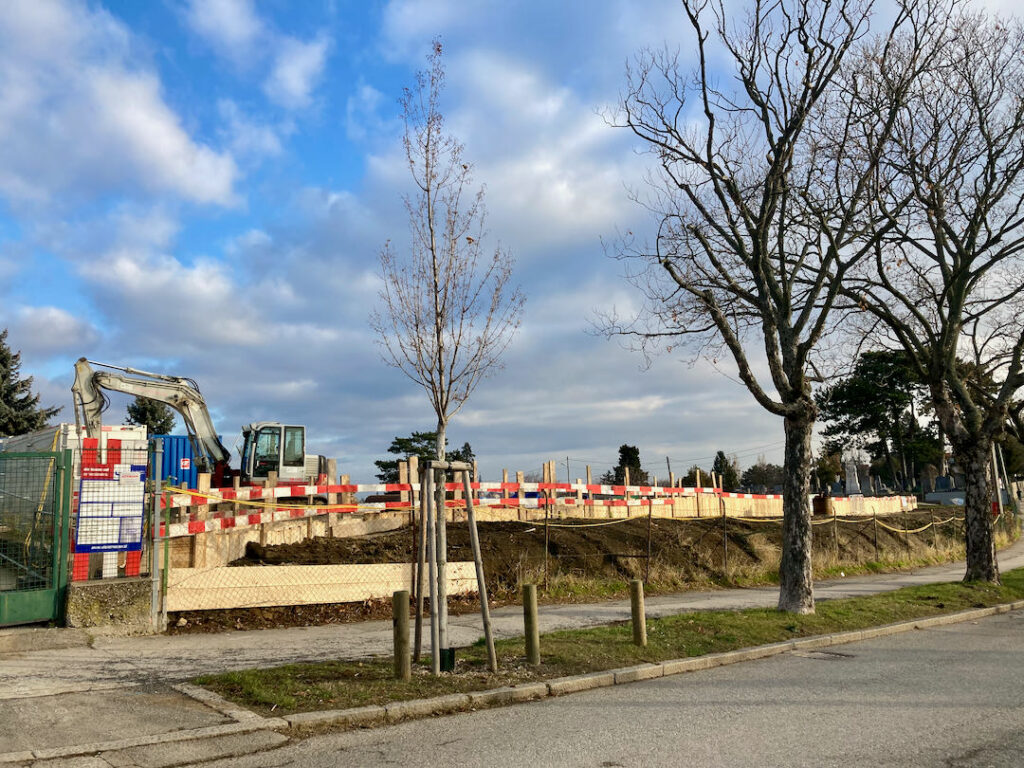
[(345, 685)]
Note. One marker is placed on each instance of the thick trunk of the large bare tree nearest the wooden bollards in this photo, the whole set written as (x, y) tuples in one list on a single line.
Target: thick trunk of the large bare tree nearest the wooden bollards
[(796, 592)]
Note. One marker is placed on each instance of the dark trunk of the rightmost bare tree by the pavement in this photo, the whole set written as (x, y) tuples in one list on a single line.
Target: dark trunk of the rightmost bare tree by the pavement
[(979, 534)]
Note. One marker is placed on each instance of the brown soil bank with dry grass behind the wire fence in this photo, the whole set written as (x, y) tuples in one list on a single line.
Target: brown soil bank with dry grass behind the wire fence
[(587, 563)]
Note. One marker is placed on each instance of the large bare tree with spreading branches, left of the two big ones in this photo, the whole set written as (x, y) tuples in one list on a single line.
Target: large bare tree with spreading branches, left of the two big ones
[(760, 217)]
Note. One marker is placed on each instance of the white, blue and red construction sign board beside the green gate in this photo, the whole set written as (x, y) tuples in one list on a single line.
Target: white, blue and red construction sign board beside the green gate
[(111, 501)]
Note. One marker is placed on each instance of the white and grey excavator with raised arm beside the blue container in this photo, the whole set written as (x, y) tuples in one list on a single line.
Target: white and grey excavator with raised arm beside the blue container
[(268, 447)]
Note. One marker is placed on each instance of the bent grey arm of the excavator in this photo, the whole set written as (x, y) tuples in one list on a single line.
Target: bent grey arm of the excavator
[(182, 395)]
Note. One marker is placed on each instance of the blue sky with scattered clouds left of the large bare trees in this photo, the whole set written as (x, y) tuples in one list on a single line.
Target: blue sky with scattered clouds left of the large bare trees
[(202, 188)]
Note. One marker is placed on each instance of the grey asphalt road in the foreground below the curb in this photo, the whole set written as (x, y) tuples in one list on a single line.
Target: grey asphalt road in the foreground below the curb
[(952, 697)]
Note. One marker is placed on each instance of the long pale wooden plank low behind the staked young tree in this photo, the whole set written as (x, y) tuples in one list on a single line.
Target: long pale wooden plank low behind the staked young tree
[(220, 588)]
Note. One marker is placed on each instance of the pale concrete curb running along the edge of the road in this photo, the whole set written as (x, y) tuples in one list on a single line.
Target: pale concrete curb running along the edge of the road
[(366, 717)]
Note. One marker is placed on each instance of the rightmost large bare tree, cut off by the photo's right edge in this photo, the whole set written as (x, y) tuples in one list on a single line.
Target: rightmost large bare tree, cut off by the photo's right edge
[(947, 284)]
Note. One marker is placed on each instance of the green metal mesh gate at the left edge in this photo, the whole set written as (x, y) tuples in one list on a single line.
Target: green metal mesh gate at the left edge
[(35, 503)]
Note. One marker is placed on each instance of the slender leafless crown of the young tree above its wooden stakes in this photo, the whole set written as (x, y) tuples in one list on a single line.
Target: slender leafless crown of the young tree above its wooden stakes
[(449, 309)]
